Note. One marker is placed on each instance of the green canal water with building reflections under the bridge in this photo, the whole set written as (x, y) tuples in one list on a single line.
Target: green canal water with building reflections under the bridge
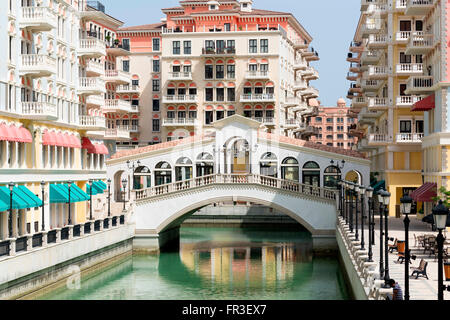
[(220, 263)]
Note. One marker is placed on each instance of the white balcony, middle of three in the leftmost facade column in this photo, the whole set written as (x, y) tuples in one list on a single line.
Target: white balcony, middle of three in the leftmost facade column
[(37, 65)]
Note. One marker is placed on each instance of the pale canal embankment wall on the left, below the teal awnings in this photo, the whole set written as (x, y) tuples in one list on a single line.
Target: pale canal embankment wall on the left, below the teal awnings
[(62, 256)]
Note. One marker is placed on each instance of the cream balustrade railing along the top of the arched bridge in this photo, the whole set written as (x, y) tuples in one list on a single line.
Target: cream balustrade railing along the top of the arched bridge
[(277, 183)]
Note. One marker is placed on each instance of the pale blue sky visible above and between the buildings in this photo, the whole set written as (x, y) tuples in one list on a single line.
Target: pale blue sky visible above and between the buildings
[(331, 23)]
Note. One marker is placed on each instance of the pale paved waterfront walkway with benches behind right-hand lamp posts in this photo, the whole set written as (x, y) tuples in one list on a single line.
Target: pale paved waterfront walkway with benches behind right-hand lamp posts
[(421, 288)]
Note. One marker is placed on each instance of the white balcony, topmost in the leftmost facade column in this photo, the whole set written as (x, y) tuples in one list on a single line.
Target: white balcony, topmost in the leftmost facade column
[(38, 19)]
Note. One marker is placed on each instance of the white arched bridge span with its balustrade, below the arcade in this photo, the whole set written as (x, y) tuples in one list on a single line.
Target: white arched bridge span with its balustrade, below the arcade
[(171, 204)]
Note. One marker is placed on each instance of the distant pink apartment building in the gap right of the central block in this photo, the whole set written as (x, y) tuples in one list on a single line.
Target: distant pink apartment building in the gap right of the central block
[(334, 124)]
